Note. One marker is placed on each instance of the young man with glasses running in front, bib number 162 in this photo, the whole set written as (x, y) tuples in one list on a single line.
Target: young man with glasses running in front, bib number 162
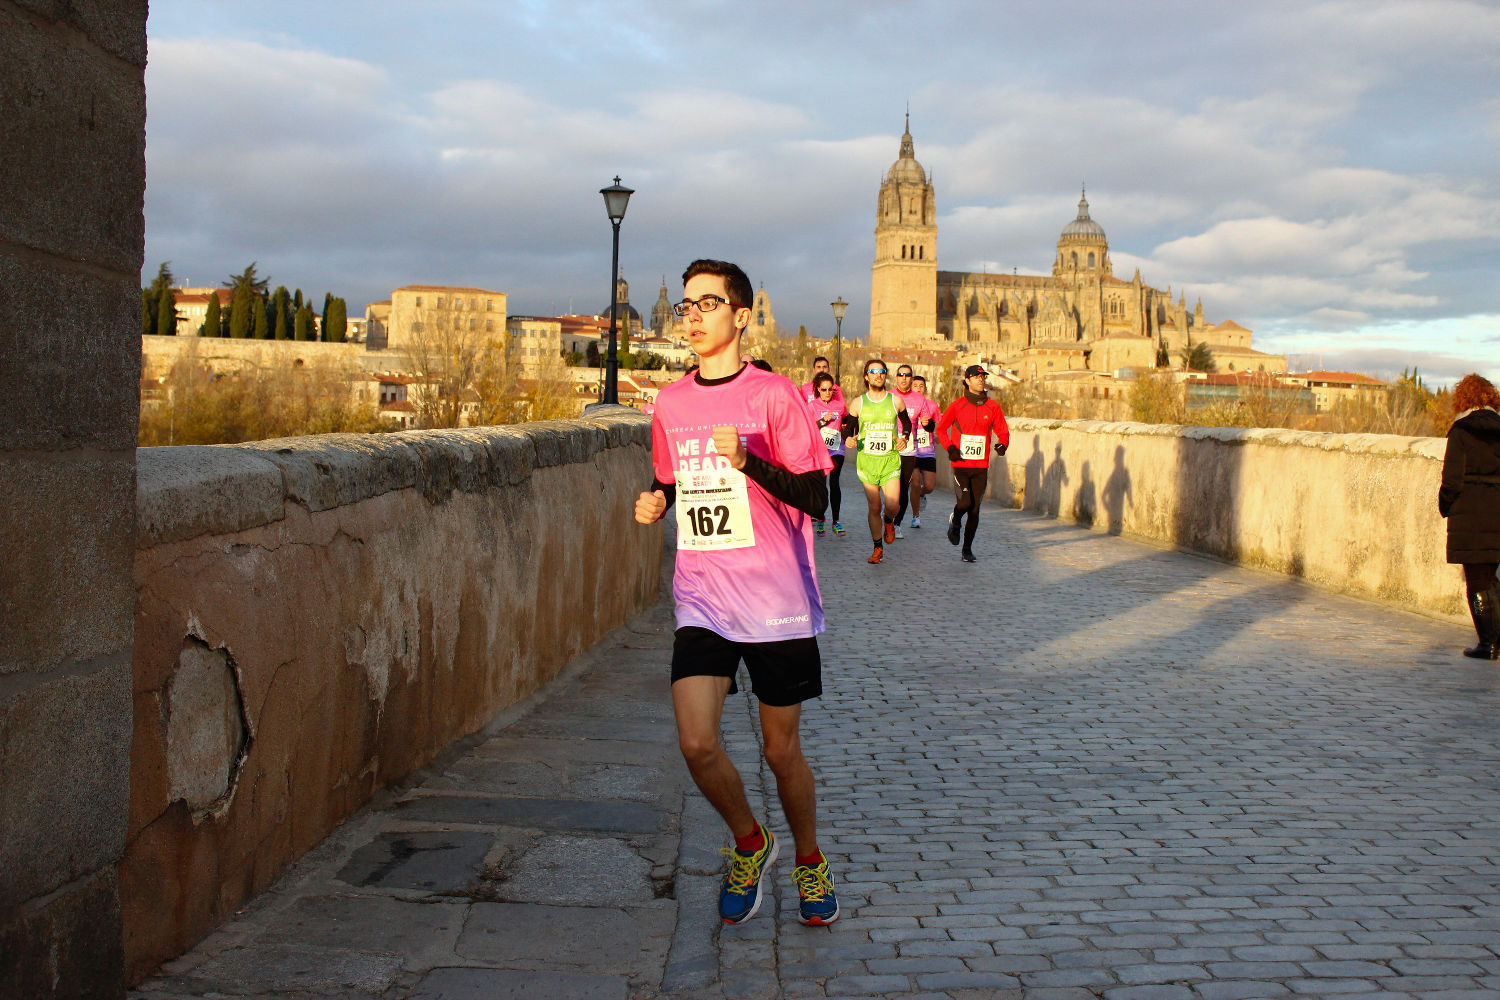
[(736, 451)]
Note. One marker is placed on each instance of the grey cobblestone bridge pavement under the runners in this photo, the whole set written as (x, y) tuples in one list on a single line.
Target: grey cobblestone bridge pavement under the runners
[(1079, 768)]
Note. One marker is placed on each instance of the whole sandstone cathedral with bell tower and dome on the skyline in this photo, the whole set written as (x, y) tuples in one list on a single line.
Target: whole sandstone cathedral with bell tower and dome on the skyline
[(1078, 319)]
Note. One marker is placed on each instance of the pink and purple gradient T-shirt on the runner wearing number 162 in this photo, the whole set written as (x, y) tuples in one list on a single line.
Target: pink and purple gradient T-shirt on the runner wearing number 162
[(767, 591)]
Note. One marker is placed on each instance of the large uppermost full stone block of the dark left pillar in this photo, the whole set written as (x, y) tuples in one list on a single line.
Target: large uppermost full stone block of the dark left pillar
[(73, 146)]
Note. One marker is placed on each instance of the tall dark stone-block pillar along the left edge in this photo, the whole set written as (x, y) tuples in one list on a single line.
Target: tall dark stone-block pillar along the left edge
[(73, 182)]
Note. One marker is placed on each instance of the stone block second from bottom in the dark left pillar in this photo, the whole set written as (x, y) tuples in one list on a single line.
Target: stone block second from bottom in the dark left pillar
[(65, 752)]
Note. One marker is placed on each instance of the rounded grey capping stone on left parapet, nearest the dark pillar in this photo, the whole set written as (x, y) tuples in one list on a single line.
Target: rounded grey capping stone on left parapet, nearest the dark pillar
[(194, 491)]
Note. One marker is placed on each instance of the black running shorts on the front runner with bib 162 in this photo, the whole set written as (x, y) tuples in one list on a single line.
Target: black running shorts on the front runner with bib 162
[(787, 672)]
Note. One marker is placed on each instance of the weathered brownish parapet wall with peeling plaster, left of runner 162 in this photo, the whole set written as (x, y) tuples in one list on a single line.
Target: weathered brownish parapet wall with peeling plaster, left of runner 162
[(319, 617)]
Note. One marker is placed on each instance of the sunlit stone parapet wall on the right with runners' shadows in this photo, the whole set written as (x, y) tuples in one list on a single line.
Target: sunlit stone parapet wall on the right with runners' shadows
[(1351, 513)]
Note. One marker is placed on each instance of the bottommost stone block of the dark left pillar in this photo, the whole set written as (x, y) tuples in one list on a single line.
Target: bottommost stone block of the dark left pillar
[(71, 945)]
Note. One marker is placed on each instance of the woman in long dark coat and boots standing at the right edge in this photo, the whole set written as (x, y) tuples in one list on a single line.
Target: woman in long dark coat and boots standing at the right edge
[(1471, 501)]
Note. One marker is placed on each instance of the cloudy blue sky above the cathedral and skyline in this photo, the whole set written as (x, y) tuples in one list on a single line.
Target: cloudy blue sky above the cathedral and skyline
[(1321, 173)]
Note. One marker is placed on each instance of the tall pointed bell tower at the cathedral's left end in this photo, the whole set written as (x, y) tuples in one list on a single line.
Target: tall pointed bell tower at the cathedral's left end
[(904, 281)]
